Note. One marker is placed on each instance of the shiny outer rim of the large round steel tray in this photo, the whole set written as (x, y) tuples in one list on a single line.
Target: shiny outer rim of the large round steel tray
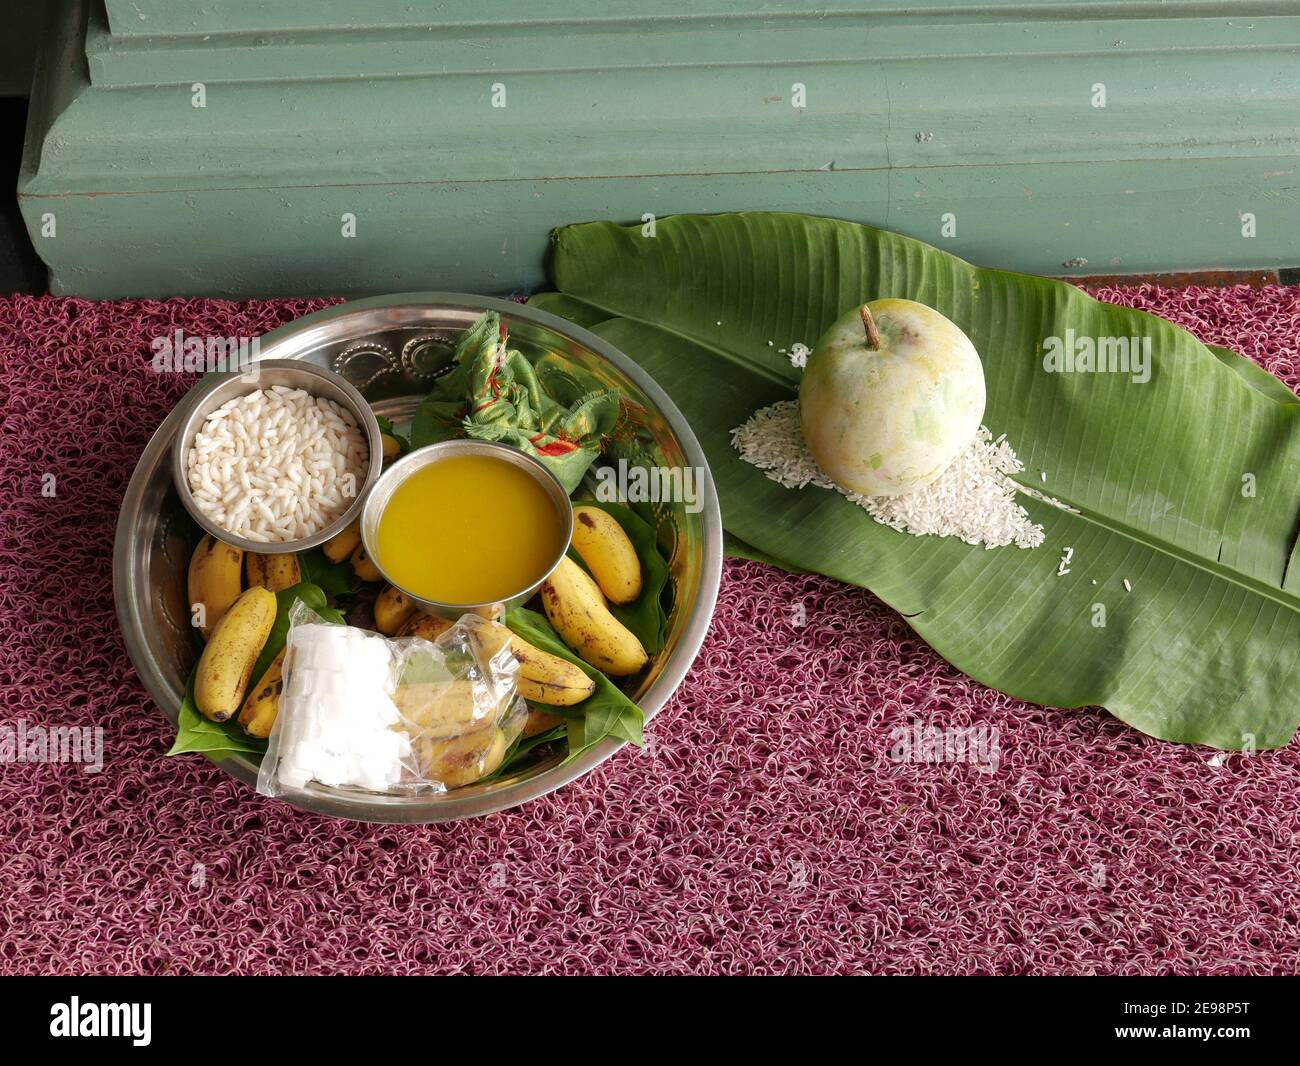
[(454, 805)]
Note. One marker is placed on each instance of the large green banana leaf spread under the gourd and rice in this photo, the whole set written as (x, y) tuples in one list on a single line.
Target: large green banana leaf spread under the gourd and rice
[(1185, 486)]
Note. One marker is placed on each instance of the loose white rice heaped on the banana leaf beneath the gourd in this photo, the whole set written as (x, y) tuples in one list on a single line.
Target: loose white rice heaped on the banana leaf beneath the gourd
[(974, 500)]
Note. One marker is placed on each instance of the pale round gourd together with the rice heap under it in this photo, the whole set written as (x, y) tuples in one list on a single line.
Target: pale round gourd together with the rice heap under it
[(890, 415)]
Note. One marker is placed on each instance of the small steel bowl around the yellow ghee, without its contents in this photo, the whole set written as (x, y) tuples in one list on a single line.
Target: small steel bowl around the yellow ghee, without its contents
[(378, 500)]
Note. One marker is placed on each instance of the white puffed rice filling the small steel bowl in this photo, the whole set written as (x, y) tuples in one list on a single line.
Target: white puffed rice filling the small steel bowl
[(278, 465)]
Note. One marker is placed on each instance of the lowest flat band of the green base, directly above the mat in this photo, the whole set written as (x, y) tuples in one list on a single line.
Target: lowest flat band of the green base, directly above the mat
[(492, 237)]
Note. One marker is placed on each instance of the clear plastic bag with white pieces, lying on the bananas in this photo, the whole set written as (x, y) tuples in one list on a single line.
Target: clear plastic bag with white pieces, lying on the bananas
[(361, 710)]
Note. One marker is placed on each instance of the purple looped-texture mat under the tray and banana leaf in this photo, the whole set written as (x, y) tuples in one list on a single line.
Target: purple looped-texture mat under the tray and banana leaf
[(765, 830)]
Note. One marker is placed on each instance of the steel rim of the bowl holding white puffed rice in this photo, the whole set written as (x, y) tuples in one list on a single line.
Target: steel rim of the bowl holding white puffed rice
[(210, 384)]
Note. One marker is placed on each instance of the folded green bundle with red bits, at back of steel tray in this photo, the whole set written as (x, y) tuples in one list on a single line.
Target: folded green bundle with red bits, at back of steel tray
[(493, 393)]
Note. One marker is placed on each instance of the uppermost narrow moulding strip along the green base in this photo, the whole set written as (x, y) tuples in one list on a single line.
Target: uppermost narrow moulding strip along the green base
[(781, 46)]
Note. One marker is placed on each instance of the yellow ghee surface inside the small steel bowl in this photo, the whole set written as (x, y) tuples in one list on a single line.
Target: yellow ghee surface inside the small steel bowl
[(469, 530)]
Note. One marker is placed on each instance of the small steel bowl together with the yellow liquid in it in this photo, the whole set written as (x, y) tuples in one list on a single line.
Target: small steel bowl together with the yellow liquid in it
[(466, 526)]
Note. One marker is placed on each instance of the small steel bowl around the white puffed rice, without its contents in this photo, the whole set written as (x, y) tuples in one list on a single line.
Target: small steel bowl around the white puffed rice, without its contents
[(215, 391)]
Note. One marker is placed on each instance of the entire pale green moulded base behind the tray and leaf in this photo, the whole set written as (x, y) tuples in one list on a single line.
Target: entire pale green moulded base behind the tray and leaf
[(912, 115)]
